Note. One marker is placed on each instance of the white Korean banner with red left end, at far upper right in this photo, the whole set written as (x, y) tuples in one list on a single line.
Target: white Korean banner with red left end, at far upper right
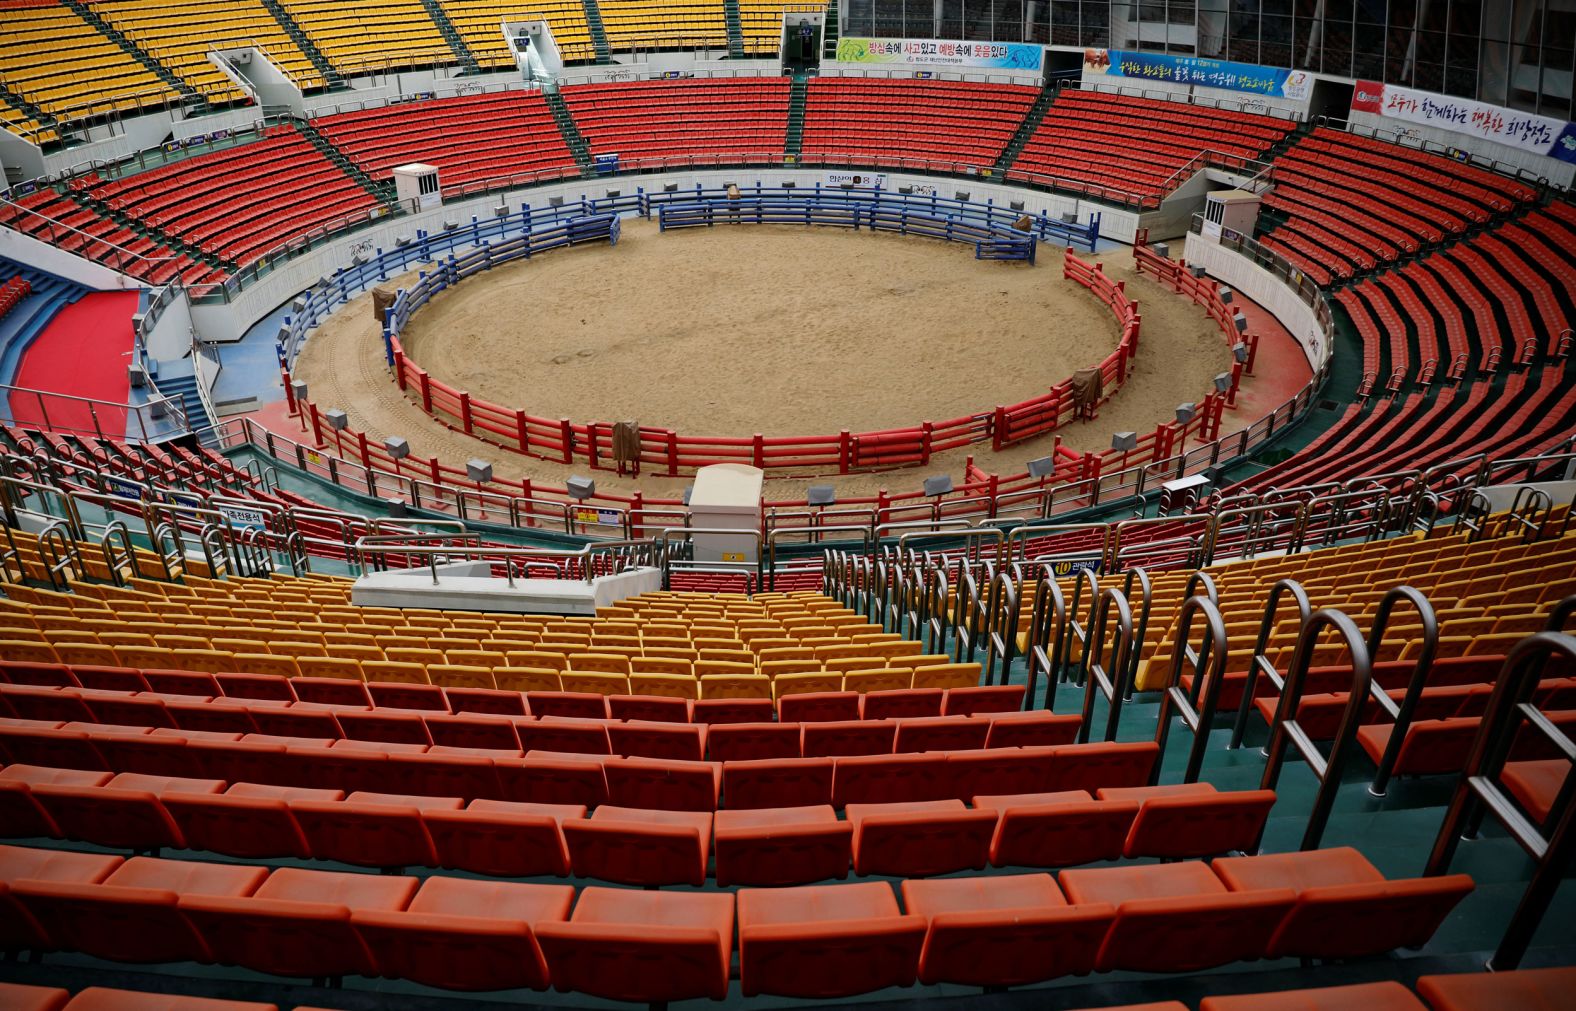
[(1533, 133)]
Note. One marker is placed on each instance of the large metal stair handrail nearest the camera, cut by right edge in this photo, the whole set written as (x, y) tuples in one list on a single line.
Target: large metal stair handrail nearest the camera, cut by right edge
[(1481, 789)]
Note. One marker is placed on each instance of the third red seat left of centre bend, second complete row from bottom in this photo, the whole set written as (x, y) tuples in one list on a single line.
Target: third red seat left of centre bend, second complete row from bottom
[(371, 830)]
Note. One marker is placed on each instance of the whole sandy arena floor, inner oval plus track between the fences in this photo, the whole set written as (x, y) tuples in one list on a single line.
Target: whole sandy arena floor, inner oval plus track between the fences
[(805, 332)]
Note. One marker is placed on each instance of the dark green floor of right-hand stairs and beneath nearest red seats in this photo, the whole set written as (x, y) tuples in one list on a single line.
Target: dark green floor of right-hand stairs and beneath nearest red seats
[(1396, 834)]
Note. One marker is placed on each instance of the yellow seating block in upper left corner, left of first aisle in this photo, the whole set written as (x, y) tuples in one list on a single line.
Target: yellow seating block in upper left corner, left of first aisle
[(54, 59)]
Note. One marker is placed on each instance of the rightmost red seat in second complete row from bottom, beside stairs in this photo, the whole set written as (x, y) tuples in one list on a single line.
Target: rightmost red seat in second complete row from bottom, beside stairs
[(1192, 819)]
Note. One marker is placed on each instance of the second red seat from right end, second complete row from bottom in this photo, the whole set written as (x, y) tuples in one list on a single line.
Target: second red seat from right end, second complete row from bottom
[(1057, 830)]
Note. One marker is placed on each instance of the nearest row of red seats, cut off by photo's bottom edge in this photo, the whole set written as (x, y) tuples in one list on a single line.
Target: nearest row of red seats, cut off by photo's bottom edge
[(1528, 988)]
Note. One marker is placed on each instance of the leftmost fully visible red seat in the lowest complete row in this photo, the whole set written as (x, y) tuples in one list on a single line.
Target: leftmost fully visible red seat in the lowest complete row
[(132, 916)]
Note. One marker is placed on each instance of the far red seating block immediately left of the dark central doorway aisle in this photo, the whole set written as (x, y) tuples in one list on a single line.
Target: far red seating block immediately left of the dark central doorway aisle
[(727, 122)]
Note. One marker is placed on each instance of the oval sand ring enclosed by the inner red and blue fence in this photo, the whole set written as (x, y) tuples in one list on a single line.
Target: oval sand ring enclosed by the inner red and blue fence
[(762, 329)]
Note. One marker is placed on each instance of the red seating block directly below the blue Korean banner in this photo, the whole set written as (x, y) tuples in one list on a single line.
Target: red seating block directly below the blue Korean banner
[(1134, 147)]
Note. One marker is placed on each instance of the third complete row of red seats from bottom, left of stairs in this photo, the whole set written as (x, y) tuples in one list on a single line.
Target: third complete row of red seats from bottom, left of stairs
[(570, 775)]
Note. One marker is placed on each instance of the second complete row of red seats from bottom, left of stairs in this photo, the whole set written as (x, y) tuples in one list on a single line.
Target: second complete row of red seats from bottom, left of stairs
[(628, 843)]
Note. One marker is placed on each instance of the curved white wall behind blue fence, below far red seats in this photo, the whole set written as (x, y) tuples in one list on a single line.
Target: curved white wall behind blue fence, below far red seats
[(229, 323)]
